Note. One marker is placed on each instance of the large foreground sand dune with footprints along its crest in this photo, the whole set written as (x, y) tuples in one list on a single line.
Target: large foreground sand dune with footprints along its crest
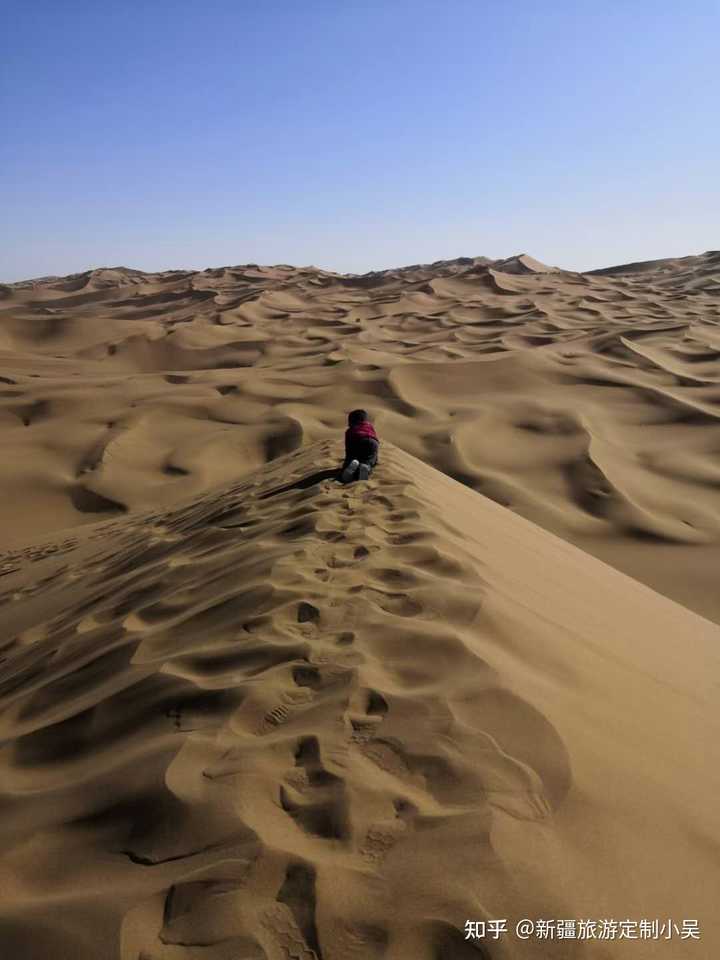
[(290, 719)]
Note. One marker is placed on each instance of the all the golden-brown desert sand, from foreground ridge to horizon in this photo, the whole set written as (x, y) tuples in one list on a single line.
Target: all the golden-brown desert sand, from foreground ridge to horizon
[(249, 712)]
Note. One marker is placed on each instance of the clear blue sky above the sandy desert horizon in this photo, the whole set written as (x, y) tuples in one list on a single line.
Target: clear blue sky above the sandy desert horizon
[(356, 134)]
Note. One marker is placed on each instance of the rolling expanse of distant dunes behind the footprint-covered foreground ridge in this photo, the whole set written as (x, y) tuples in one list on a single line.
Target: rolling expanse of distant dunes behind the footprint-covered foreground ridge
[(588, 403)]
